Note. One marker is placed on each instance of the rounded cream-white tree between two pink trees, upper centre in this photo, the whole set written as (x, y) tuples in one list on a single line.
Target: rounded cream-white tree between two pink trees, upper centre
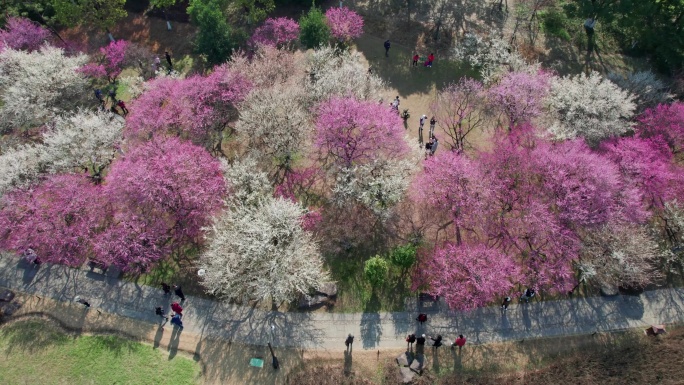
[(275, 125)]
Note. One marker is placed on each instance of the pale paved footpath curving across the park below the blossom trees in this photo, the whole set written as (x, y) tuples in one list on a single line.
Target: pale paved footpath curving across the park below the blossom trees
[(322, 330)]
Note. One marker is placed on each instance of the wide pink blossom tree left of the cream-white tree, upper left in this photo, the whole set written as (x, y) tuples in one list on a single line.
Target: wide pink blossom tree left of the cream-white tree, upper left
[(198, 108)]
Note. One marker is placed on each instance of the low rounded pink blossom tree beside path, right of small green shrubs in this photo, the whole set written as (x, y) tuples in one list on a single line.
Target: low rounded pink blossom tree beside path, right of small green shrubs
[(467, 276)]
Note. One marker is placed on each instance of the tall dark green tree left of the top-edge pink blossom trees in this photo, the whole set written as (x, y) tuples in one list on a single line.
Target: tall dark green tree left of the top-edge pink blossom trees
[(215, 39)]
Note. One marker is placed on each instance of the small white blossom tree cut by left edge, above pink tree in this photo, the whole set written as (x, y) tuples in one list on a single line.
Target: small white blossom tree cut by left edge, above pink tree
[(21, 166)]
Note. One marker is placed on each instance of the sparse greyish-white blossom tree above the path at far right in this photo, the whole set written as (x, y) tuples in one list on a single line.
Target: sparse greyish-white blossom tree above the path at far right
[(619, 254)]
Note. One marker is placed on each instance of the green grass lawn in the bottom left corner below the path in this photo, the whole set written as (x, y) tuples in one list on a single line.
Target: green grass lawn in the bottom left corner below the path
[(34, 352)]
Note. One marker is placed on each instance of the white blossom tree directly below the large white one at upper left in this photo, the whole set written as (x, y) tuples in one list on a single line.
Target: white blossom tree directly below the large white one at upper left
[(83, 140)]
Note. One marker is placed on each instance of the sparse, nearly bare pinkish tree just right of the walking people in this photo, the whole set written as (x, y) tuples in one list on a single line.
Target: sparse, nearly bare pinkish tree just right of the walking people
[(456, 109)]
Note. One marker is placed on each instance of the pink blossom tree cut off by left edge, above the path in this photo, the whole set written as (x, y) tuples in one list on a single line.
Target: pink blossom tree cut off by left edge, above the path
[(57, 218)]
